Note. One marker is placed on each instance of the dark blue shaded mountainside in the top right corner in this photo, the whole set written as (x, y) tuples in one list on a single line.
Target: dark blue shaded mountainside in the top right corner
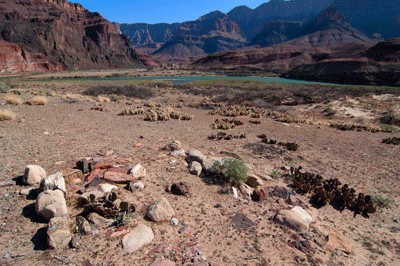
[(372, 17)]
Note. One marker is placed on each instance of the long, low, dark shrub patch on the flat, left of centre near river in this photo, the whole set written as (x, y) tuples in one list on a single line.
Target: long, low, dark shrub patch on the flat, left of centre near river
[(128, 91)]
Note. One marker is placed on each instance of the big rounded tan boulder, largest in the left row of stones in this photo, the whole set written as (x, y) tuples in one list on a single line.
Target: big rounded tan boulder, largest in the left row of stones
[(51, 203)]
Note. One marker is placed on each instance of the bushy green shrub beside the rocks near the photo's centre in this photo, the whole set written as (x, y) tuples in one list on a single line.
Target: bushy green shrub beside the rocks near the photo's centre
[(234, 170)]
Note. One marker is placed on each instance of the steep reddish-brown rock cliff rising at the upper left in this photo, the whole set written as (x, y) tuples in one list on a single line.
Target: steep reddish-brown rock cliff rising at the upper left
[(66, 34)]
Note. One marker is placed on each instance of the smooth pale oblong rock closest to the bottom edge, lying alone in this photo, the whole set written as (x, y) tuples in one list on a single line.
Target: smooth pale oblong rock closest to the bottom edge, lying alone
[(137, 238)]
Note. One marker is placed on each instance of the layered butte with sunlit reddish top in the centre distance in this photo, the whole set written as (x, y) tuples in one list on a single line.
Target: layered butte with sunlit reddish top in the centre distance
[(214, 32)]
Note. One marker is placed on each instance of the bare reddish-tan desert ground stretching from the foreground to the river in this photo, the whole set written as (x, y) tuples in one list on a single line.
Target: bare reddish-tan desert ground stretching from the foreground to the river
[(71, 126)]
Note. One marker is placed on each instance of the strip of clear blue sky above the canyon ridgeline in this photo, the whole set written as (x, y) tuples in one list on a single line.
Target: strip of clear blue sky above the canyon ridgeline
[(157, 11)]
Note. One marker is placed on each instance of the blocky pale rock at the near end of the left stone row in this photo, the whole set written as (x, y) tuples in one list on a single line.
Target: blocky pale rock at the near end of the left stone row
[(58, 234)]
